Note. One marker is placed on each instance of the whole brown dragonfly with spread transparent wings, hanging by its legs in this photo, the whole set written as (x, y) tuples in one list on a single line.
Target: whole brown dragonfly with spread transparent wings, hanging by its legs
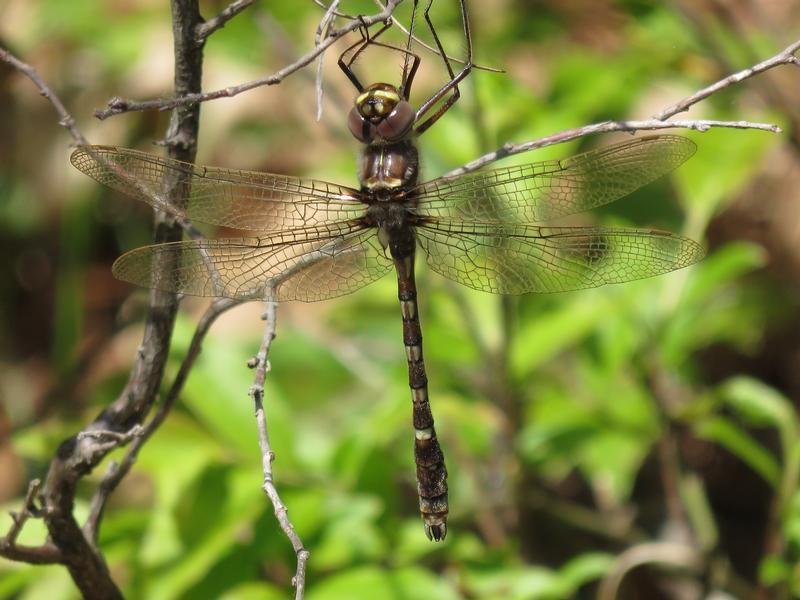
[(312, 240)]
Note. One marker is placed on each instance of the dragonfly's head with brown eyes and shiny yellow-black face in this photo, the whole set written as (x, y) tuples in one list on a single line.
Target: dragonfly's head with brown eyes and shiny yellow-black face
[(381, 115)]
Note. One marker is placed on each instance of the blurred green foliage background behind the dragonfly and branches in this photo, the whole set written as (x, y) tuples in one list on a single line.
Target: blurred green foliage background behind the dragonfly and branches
[(576, 426)]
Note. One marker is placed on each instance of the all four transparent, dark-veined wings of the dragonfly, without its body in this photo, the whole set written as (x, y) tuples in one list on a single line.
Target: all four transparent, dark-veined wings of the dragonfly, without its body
[(477, 229)]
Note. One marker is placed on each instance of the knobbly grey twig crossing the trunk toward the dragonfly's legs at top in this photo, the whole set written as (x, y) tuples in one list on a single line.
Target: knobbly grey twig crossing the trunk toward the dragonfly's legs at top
[(119, 105)]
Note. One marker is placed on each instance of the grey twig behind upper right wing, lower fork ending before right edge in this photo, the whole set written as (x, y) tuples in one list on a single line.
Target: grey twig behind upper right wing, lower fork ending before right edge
[(603, 127)]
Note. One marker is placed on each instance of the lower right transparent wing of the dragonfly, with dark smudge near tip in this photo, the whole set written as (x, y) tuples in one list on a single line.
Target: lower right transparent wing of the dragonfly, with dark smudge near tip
[(525, 258)]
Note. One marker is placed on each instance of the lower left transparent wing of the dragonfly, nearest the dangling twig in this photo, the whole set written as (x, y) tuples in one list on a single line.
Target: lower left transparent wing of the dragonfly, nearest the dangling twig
[(306, 266)]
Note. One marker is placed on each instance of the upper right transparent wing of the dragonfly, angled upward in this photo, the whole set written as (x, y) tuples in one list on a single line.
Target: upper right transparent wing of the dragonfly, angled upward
[(540, 191)]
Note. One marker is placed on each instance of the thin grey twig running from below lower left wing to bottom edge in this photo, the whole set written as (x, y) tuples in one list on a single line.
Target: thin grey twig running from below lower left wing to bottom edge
[(261, 365)]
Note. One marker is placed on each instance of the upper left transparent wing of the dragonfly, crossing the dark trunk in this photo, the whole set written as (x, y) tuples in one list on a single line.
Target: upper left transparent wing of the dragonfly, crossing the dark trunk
[(245, 200)]
